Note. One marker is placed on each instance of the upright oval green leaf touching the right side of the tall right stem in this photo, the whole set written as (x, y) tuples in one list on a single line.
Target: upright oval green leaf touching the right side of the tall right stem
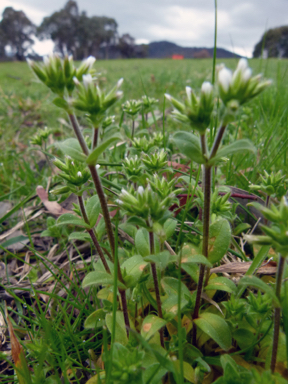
[(219, 240)]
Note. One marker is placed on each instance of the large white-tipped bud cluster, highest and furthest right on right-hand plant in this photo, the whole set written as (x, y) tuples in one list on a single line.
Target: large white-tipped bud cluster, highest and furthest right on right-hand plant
[(240, 86)]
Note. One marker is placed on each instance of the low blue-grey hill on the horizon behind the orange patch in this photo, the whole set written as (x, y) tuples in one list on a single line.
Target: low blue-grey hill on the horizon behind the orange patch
[(165, 49)]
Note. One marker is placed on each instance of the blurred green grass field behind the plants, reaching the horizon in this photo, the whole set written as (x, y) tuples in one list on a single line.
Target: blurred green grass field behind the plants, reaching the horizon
[(26, 105)]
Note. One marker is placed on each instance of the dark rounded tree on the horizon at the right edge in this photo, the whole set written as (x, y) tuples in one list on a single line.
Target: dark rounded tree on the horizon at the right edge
[(274, 43)]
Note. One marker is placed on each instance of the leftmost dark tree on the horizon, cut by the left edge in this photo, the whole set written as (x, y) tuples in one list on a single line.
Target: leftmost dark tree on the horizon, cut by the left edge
[(17, 32)]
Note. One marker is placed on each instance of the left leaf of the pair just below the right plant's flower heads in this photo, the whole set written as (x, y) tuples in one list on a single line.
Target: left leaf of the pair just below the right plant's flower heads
[(189, 145)]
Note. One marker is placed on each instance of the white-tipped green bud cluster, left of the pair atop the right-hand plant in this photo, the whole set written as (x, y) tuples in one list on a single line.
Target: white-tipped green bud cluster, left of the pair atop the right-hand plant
[(196, 110)]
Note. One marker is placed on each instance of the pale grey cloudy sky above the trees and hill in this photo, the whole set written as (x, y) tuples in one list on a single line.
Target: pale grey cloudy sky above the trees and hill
[(241, 23)]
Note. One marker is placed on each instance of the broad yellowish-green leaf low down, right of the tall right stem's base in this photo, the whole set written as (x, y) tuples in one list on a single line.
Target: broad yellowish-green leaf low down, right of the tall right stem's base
[(215, 327)]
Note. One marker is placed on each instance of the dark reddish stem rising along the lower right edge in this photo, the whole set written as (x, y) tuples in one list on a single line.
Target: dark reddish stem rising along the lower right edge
[(277, 315)]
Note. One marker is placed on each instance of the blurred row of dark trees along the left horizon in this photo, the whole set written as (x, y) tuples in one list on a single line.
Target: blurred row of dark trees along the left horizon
[(73, 32)]
